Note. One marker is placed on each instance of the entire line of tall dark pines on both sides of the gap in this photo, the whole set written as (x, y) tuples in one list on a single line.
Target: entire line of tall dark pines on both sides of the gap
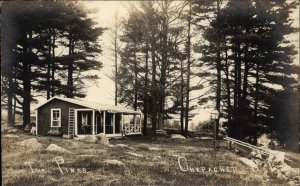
[(176, 56)]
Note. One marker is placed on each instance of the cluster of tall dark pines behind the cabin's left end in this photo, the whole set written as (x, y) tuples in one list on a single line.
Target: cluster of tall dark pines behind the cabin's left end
[(46, 48)]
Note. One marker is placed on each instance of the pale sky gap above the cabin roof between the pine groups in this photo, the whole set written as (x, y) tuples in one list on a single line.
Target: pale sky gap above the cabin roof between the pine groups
[(106, 18)]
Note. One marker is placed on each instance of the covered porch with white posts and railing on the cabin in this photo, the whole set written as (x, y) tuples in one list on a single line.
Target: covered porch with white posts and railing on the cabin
[(112, 123)]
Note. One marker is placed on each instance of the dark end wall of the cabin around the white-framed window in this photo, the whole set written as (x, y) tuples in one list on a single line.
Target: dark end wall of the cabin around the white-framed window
[(44, 115)]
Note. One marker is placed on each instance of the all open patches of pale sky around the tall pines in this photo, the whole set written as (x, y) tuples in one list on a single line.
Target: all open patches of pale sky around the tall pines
[(105, 17)]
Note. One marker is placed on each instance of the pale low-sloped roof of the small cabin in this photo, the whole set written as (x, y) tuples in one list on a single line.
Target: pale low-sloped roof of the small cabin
[(93, 105)]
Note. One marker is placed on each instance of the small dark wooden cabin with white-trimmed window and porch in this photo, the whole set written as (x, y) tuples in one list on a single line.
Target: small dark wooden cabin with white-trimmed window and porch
[(75, 118)]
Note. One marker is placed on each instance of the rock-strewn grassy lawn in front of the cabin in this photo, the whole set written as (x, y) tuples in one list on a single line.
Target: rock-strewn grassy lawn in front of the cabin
[(155, 166)]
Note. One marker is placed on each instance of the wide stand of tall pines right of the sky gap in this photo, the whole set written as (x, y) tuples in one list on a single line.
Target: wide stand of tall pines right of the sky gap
[(233, 53)]
